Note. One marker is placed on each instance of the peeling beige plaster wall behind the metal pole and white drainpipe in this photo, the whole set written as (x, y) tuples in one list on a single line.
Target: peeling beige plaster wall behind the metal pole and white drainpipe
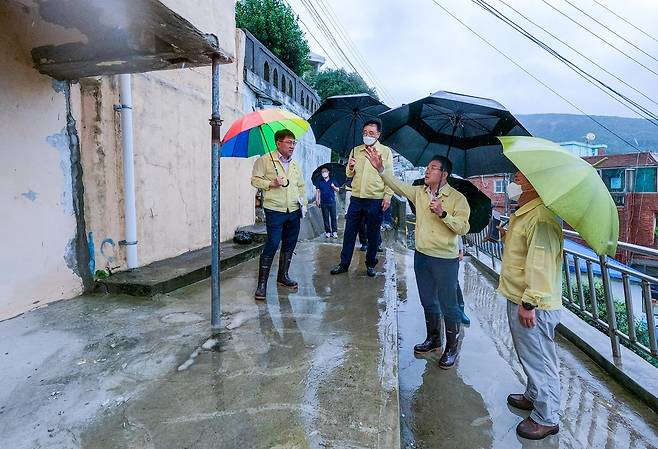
[(172, 157)]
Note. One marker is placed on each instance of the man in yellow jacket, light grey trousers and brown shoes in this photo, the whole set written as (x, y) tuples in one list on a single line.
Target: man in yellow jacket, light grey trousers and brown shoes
[(531, 280)]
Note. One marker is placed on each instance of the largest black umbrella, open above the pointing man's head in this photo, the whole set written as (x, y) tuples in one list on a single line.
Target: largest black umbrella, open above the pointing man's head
[(462, 127)]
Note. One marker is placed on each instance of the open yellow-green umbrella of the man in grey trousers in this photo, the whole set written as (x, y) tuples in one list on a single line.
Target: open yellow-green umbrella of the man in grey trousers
[(570, 187)]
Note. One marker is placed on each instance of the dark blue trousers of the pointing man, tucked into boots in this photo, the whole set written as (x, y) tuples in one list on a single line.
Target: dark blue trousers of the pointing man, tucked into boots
[(437, 280)]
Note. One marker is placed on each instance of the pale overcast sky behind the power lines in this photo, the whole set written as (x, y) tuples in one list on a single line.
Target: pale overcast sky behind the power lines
[(414, 48)]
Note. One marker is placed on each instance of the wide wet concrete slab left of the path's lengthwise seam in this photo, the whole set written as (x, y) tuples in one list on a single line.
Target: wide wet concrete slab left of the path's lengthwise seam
[(308, 369)]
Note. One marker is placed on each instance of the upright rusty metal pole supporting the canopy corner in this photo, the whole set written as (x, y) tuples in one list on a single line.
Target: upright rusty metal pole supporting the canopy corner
[(215, 123)]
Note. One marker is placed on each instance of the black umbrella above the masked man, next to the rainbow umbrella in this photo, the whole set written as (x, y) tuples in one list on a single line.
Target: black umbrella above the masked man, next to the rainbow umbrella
[(338, 122)]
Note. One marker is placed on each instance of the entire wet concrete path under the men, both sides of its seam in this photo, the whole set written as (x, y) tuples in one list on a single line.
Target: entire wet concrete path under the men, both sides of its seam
[(316, 368)]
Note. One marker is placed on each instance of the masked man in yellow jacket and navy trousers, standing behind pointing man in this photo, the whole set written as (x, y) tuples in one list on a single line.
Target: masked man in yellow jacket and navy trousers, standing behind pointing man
[(370, 197)]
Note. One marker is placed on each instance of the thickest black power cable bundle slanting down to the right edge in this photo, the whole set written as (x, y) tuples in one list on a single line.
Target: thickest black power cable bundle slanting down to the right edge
[(605, 88)]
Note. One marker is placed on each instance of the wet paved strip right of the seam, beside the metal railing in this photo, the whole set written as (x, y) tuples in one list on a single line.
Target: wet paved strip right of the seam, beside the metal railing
[(465, 408)]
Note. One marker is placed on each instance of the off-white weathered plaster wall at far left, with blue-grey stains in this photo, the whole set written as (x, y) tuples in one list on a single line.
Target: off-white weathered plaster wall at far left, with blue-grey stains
[(38, 259)]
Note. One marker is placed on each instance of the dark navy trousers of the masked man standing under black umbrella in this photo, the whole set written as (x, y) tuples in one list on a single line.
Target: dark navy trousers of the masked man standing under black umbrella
[(361, 209)]
